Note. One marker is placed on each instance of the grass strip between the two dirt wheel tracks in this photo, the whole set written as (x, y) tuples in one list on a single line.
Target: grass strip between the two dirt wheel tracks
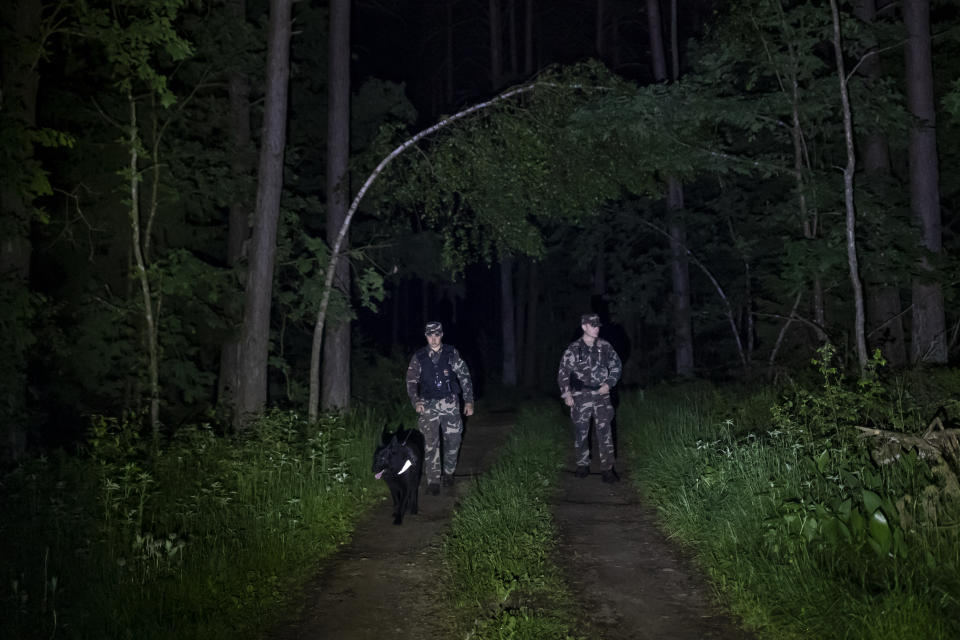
[(498, 554)]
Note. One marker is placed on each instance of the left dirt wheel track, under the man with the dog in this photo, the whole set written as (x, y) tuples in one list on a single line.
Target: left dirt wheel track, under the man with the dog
[(384, 583)]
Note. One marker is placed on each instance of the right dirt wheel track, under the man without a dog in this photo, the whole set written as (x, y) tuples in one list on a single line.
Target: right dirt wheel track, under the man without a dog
[(632, 583)]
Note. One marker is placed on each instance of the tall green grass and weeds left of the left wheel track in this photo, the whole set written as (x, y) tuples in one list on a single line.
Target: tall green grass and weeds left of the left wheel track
[(207, 539)]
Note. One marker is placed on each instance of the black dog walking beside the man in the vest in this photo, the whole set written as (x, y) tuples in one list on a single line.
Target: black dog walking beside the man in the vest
[(399, 463)]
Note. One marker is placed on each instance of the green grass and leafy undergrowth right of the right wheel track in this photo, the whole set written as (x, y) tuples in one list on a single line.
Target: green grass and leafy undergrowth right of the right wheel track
[(817, 511)]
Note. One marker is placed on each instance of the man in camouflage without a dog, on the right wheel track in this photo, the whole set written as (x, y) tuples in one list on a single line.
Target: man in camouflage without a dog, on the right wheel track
[(589, 368)]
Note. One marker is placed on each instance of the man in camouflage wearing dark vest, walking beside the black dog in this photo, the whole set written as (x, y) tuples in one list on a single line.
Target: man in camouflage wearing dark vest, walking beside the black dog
[(435, 376)]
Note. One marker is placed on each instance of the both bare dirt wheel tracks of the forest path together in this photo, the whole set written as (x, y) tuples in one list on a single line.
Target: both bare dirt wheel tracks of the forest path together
[(632, 583)]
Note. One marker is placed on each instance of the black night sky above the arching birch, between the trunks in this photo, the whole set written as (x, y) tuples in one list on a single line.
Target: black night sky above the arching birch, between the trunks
[(405, 42)]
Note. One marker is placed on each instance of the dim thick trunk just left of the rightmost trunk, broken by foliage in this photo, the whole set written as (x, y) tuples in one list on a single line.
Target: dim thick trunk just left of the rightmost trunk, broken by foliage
[(884, 310)]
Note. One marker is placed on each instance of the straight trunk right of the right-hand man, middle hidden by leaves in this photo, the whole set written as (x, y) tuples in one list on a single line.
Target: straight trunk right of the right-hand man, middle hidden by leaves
[(679, 266)]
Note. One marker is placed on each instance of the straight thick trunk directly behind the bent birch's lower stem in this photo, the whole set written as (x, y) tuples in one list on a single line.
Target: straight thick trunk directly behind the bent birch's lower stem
[(336, 352)]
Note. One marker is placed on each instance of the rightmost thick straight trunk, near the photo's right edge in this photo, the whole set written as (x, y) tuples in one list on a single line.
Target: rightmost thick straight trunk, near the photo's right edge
[(928, 335)]
